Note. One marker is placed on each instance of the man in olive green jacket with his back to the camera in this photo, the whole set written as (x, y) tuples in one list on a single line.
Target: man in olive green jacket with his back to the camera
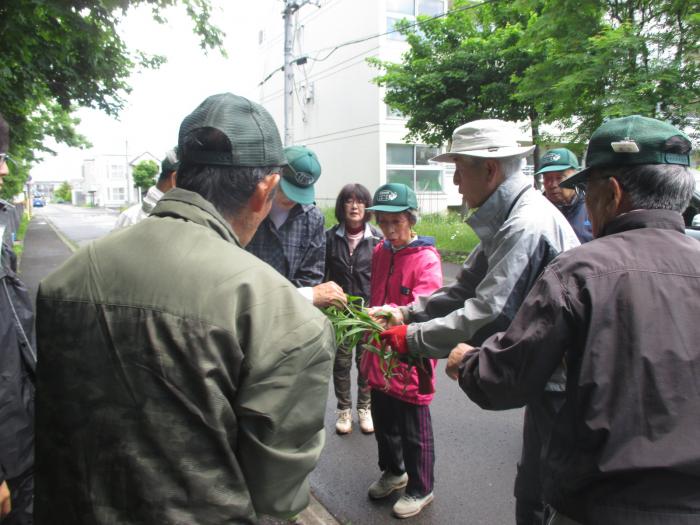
[(180, 378)]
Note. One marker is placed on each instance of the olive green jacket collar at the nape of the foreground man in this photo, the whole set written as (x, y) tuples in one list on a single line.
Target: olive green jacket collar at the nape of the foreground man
[(190, 206)]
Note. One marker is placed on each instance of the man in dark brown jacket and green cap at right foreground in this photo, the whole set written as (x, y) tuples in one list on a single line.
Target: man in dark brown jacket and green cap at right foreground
[(620, 312)]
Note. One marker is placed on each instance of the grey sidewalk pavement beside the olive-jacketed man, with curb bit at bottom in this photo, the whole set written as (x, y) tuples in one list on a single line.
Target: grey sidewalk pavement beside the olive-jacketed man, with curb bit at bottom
[(45, 249)]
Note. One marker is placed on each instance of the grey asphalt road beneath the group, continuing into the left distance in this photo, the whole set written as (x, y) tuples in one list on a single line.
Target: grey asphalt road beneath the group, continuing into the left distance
[(476, 451)]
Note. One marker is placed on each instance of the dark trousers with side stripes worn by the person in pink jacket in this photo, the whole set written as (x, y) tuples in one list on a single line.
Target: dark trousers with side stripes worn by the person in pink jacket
[(404, 434)]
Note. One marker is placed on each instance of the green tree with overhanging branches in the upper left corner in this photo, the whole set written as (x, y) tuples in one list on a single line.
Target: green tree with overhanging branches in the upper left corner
[(58, 55)]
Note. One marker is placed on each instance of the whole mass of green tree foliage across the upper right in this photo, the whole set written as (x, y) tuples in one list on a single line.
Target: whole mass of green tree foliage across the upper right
[(568, 62)]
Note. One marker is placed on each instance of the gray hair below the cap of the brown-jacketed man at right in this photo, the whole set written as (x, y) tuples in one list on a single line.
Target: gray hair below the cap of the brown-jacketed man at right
[(655, 186)]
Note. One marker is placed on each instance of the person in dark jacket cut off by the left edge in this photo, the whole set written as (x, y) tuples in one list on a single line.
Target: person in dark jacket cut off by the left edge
[(17, 366)]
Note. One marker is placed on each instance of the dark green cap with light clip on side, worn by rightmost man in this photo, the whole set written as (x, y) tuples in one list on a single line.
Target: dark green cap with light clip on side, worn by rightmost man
[(631, 141)]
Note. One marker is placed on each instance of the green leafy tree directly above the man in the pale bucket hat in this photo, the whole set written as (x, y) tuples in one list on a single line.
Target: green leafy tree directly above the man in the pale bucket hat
[(460, 68)]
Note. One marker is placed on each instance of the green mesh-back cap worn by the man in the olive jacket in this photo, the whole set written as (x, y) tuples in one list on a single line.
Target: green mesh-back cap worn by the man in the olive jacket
[(255, 140)]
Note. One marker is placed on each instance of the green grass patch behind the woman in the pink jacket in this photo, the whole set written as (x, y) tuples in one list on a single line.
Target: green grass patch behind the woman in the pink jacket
[(454, 239)]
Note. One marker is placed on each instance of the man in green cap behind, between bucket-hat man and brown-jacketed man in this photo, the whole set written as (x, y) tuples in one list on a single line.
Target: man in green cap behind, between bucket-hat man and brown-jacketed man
[(556, 166)]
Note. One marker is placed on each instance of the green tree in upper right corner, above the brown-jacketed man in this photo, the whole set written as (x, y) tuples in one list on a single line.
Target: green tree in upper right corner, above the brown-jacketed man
[(611, 58)]
